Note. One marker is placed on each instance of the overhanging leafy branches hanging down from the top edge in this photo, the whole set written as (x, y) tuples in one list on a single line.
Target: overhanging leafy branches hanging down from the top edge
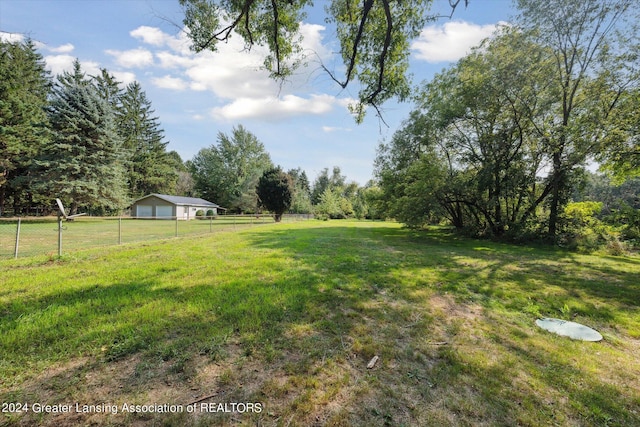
[(374, 38)]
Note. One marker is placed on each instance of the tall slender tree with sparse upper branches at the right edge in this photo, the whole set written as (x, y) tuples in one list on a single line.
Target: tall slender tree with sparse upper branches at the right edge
[(588, 42)]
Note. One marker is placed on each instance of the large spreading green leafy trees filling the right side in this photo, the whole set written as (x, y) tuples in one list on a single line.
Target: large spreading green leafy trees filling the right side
[(499, 141)]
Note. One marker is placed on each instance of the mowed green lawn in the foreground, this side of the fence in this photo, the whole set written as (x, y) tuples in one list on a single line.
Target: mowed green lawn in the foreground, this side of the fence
[(289, 316)]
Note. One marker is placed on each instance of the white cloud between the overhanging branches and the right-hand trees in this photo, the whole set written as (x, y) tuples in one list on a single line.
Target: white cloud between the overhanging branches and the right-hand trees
[(451, 41)]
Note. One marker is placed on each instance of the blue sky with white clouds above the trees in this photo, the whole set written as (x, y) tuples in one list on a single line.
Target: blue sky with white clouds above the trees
[(303, 123)]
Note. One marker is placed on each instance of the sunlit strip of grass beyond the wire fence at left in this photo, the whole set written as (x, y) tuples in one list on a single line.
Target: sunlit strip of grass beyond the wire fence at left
[(48, 236)]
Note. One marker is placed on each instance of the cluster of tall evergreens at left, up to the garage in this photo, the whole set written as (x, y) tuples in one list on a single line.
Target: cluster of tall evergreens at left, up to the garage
[(88, 140)]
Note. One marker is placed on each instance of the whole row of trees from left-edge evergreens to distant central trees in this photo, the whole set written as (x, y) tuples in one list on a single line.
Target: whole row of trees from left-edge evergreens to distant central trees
[(97, 145)]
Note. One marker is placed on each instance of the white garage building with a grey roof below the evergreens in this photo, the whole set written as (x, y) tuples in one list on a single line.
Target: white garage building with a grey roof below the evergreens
[(162, 206)]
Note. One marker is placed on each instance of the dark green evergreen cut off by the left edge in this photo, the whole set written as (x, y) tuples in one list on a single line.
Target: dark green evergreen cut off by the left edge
[(24, 86)]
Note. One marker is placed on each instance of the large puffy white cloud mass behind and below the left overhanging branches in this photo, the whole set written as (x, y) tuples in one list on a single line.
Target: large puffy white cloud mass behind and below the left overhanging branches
[(235, 76)]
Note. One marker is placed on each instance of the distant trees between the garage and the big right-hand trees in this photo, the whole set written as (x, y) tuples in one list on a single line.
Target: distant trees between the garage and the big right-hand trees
[(237, 172)]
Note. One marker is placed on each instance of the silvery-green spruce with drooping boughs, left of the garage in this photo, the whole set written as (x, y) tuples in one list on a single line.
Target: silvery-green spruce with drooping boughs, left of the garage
[(84, 163)]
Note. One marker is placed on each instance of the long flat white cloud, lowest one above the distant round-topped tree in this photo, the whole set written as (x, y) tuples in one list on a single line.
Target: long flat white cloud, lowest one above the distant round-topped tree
[(275, 108)]
